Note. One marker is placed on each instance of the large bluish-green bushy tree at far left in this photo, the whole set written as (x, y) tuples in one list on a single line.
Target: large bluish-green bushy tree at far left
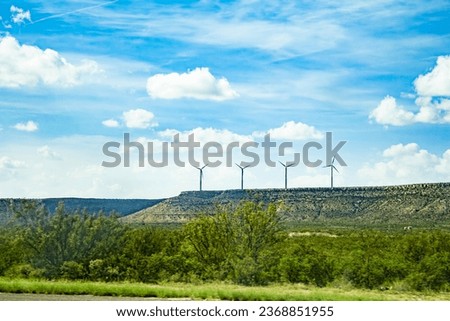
[(63, 237)]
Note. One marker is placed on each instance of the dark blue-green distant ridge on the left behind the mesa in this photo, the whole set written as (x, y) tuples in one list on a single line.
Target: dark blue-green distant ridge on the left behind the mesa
[(121, 207)]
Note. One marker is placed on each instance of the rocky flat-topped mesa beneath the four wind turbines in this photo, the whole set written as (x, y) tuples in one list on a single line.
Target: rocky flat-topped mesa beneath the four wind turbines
[(405, 204)]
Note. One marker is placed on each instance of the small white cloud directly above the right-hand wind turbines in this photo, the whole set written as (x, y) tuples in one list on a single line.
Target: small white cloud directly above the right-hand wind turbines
[(292, 130)]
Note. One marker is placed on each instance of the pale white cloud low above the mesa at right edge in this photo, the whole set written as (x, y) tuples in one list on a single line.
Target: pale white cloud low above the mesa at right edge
[(407, 163)]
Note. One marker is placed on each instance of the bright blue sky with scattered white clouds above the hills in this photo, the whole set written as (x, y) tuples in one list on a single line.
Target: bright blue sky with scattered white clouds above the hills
[(77, 74)]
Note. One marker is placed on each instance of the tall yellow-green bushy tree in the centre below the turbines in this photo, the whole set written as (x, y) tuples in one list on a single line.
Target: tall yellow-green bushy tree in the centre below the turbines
[(234, 242)]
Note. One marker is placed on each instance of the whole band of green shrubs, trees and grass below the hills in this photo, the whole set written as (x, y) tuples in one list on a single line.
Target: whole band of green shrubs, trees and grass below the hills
[(244, 246)]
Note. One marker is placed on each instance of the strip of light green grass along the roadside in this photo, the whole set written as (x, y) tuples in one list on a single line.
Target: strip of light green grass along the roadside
[(211, 291)]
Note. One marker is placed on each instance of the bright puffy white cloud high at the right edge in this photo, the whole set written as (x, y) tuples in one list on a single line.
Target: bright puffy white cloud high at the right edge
[(433, 107)]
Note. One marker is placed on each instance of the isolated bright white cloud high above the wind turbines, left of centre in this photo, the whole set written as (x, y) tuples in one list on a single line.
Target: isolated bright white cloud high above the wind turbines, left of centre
[(196, 84)]
